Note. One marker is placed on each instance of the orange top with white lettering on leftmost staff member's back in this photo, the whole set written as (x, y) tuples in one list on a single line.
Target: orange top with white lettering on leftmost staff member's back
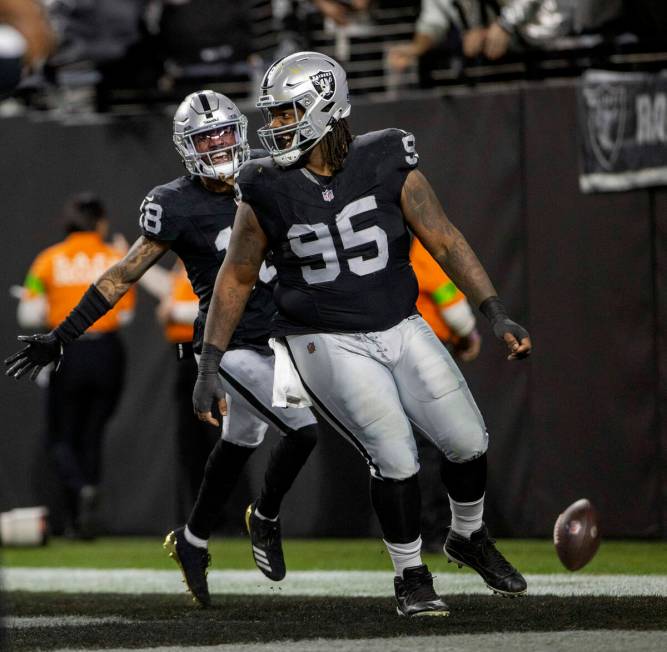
[(62, 273)]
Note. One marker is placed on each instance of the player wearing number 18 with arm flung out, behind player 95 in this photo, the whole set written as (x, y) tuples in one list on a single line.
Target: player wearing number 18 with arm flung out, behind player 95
[(193, 216)]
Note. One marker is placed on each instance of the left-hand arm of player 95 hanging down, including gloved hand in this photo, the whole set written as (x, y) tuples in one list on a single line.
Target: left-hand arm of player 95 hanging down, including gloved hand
[(235, 280)]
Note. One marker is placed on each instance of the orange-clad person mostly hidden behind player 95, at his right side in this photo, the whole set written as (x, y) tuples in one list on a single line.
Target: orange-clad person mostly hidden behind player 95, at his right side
[(450, 316)]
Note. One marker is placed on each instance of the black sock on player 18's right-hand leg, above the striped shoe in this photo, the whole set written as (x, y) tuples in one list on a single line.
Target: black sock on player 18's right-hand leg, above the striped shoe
[(287, 459)]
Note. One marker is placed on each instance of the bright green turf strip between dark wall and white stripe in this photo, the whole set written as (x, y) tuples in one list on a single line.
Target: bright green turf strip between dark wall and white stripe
[(530, 555)]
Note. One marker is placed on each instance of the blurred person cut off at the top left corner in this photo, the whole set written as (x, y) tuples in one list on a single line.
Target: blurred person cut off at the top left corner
[(26, 40)]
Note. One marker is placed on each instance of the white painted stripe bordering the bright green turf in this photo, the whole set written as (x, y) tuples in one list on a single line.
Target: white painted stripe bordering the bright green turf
[(313, 583)]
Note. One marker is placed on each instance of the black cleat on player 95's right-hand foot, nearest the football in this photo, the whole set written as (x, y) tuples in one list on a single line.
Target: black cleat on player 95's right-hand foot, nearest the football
[(481, 554)]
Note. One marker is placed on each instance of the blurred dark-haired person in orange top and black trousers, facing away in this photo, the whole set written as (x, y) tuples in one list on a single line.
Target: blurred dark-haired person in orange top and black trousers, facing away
[(83, 390)]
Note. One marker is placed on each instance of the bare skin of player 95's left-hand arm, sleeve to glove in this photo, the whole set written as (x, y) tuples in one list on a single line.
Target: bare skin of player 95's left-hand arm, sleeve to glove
[(236, 278)]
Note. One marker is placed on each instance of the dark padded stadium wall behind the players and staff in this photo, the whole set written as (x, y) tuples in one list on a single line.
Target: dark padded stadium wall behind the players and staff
[(586, 273)]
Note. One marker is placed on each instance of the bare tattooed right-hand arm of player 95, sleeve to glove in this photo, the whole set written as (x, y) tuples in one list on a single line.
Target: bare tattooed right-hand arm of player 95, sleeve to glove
[(427, 220)]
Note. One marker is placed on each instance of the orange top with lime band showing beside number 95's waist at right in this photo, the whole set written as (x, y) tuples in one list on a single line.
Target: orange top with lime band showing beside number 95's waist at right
[(436, 290)]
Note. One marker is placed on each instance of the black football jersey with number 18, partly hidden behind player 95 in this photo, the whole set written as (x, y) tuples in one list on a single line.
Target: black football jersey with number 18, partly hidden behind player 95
[(197, 223)]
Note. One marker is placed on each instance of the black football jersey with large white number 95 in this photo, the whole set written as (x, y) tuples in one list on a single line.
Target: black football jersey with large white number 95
[(340, 245)]
